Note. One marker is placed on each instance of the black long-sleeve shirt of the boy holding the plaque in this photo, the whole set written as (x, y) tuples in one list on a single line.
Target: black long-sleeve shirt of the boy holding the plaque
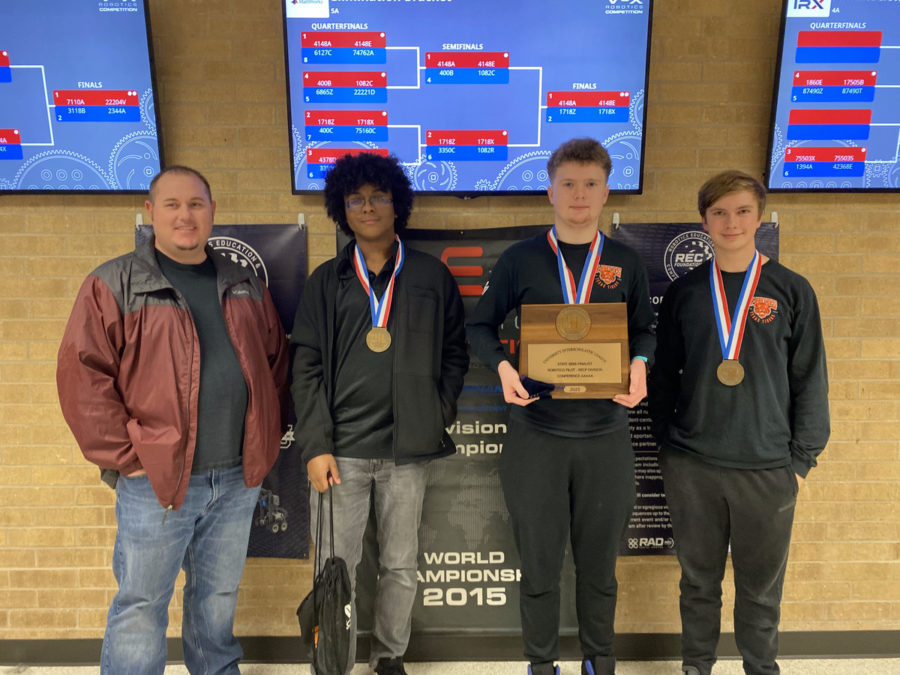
[(527, 274)]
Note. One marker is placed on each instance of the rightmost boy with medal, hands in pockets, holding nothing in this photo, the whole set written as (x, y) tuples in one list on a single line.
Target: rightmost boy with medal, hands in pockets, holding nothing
[(738, 399)]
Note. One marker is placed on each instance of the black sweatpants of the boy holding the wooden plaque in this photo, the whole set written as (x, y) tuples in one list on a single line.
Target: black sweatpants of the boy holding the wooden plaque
[(555, 488)]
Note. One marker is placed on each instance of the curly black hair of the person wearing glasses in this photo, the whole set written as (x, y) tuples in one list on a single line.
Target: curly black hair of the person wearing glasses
[(351, 172)]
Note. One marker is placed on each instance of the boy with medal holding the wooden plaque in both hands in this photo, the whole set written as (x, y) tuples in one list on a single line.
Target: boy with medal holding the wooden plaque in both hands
[(567, 467)]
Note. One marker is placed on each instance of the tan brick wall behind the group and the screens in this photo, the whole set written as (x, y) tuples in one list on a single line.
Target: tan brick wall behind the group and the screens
[(220, 70)]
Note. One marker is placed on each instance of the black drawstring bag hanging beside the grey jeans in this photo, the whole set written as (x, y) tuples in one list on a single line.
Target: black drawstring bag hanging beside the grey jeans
[(325, 612)]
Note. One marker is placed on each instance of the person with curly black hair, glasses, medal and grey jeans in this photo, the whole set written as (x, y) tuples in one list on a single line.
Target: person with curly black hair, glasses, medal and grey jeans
[(379, 359)]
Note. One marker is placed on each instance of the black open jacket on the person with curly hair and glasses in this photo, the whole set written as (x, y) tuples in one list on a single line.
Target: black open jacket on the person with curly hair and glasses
[(430, 359)]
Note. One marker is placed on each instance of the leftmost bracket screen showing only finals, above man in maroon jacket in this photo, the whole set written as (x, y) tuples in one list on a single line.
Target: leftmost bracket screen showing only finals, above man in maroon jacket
[(77, 108)]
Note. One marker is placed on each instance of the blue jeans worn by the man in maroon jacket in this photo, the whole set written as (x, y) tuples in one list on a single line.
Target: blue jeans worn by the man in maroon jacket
[(208, 537)]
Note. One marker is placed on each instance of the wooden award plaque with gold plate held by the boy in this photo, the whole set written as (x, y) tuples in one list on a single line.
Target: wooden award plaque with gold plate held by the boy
[(582, 349)]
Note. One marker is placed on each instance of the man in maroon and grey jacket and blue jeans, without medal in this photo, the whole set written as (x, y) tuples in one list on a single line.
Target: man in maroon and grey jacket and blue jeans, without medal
[(172, 375)]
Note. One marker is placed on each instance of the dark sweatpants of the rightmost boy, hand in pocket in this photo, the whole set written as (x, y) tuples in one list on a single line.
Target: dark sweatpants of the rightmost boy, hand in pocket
[(753, 511)]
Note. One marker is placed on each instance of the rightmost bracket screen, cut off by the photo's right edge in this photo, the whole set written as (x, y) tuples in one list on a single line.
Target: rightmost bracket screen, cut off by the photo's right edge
[(836, 112)]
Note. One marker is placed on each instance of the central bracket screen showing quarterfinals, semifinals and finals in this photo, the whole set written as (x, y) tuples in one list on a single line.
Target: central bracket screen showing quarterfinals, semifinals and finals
[(471, 96)]
